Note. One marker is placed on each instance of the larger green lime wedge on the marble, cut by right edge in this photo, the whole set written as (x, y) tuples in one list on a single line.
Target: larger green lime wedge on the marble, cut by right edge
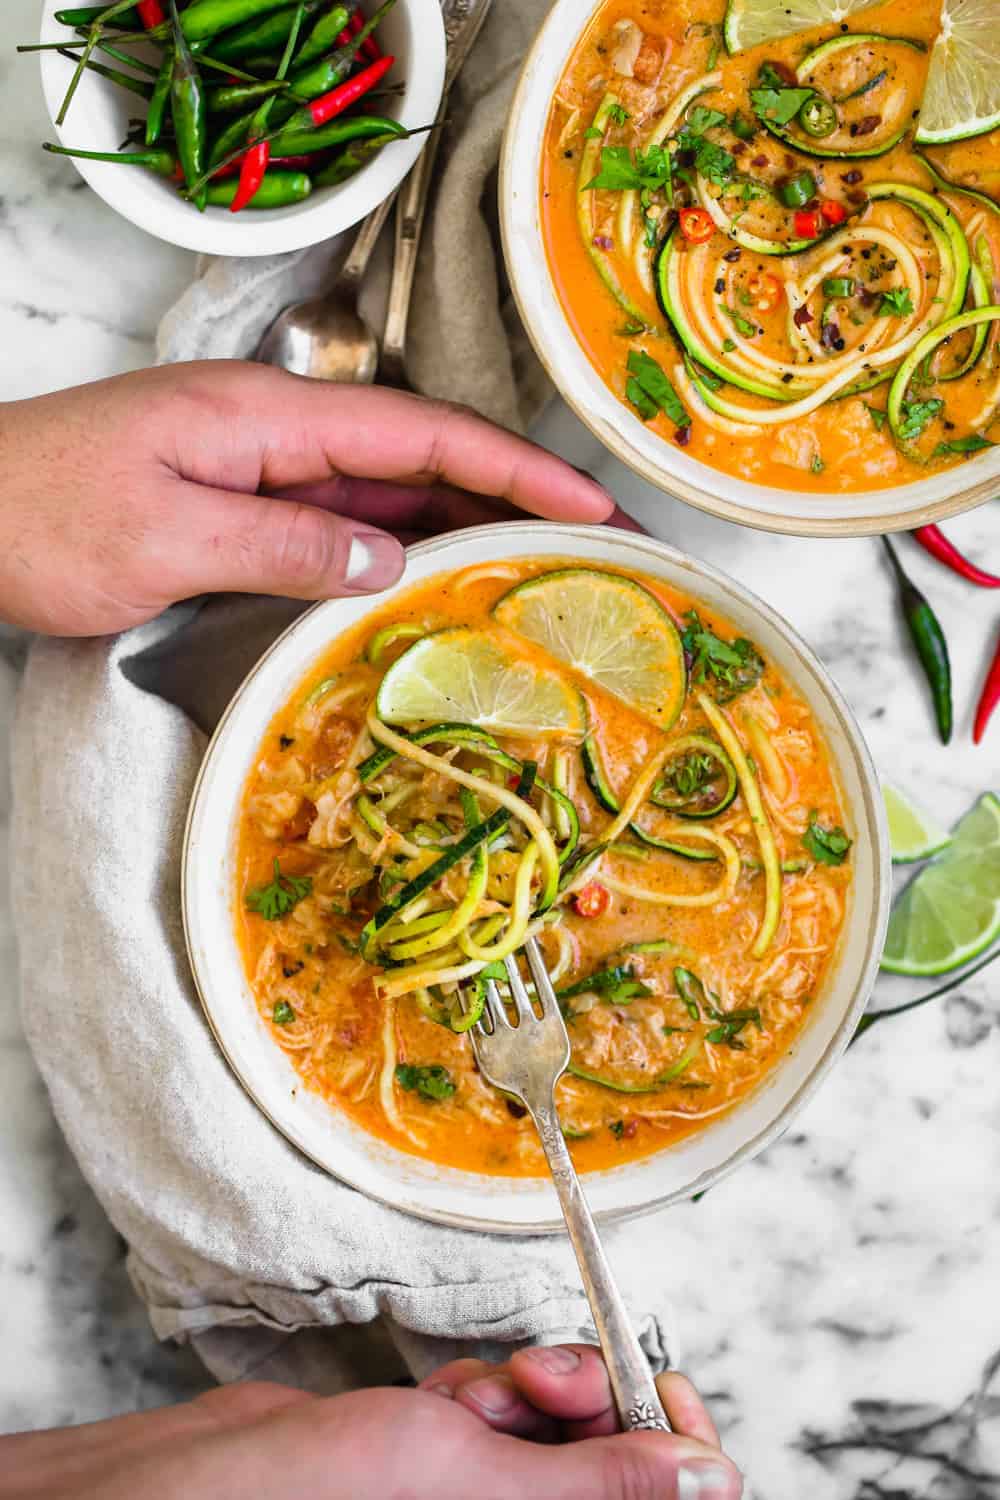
[(951, 911)]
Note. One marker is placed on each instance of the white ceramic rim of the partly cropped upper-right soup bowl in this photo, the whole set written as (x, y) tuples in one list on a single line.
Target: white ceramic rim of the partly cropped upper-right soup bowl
[(665, 464)]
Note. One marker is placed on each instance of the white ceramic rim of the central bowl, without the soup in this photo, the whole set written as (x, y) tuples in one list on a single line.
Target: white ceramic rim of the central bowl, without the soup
[(503, 1204)]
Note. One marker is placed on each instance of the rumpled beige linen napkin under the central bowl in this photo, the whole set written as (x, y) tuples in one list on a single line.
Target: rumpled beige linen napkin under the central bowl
[(236, 1243)]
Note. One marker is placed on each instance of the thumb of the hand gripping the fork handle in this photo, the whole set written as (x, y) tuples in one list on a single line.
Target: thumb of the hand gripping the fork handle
[(633, 1466)]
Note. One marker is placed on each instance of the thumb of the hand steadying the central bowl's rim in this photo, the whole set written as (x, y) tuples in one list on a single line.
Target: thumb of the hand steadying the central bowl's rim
[(227, 542)]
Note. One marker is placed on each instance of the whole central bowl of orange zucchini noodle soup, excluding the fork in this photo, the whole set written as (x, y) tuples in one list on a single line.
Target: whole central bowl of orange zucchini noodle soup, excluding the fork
[(594, 739)]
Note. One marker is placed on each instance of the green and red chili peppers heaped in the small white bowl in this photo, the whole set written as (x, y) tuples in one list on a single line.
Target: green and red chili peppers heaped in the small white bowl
[(251, 104)]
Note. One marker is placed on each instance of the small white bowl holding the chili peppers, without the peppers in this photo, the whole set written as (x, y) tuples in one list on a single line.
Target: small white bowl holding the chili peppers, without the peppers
[(98, 122)]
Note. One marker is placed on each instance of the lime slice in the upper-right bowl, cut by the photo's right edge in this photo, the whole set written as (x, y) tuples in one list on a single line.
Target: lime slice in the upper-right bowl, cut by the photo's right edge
[(962, 95)]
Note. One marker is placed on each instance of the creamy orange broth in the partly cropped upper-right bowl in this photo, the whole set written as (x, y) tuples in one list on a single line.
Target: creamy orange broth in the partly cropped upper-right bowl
[(837, 448)]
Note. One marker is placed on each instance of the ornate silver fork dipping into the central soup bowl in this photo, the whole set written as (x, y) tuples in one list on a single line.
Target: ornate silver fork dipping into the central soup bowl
[(527, 1061)]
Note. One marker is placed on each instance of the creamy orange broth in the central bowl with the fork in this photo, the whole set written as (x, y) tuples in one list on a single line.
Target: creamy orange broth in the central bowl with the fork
[(338, 1039)]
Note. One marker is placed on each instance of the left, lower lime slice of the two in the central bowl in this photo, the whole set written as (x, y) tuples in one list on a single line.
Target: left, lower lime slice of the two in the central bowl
[(469, 676)]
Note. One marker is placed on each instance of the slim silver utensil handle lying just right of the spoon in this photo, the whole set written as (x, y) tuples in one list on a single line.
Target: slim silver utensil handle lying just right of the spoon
[(463, 25)]
